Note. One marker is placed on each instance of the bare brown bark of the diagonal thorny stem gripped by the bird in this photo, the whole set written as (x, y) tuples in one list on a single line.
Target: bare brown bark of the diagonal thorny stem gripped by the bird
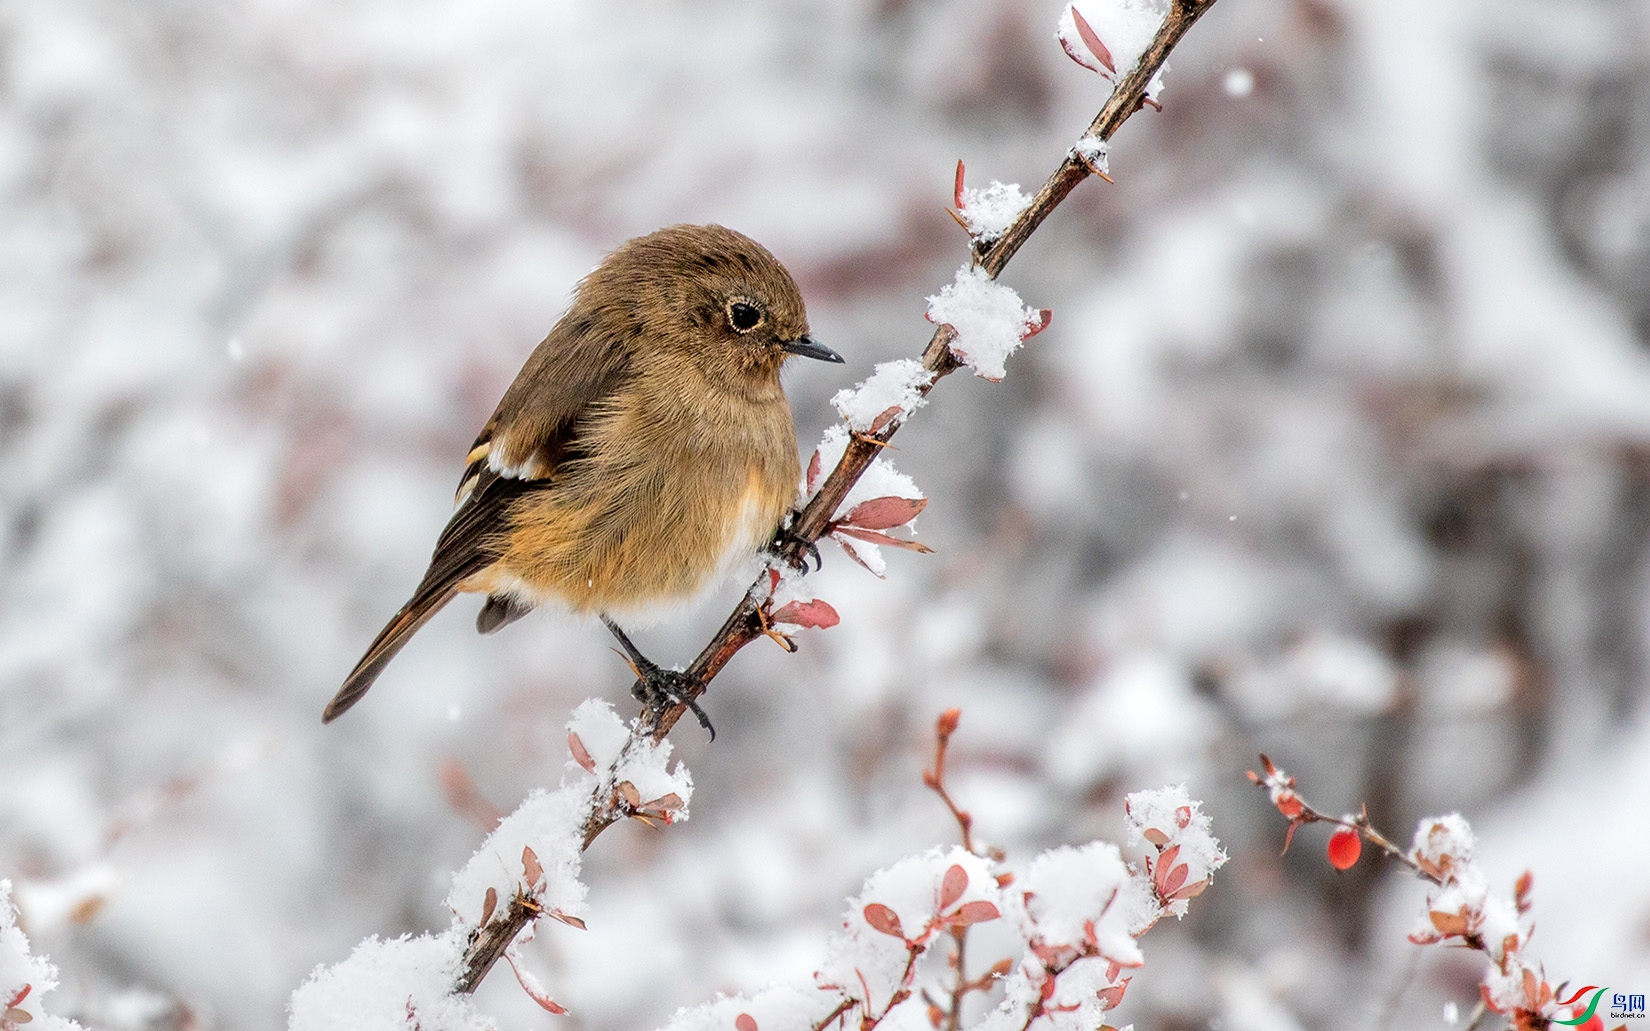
[(491, 941)]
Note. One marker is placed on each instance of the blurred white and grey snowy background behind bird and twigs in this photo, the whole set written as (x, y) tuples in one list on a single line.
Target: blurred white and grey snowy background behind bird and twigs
[(1339, 448)]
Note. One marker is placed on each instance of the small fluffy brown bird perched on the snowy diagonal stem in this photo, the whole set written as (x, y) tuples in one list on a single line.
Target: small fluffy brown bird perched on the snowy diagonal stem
[(643, 453)]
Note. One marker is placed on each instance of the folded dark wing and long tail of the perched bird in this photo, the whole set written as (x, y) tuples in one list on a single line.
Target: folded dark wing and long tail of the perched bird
[(534, 430)]
